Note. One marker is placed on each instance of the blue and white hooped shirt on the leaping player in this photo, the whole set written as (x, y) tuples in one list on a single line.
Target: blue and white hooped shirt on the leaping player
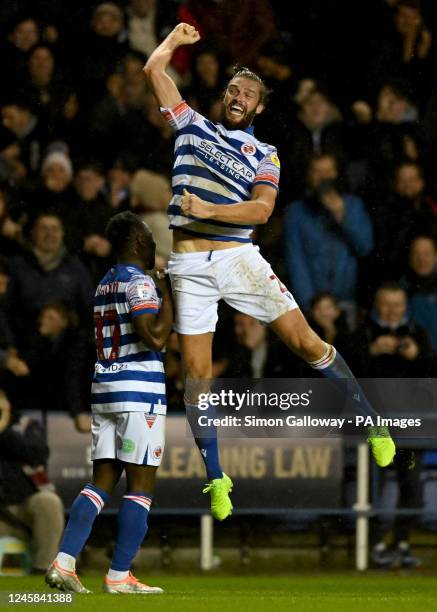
[(218, 165)]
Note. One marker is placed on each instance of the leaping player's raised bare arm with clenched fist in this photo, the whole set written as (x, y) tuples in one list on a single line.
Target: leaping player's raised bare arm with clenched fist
[(158, 80)]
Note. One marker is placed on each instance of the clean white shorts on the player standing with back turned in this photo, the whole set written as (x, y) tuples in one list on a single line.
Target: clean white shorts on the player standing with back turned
[(132, 437)]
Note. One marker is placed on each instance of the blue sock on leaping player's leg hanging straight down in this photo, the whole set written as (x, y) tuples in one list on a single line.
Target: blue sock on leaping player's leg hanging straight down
[(207, 441)]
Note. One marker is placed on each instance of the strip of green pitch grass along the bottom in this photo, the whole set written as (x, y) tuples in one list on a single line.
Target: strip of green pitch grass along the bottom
[(330, 593)]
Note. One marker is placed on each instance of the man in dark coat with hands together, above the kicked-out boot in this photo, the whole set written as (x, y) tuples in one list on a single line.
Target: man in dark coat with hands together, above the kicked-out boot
[(397, 347)]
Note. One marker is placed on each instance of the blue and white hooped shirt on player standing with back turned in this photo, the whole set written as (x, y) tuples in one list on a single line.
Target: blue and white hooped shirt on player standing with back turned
[(128, 376)]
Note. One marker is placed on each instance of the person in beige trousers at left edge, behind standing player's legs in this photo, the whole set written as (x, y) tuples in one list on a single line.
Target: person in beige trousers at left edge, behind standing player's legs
[(26, 494)]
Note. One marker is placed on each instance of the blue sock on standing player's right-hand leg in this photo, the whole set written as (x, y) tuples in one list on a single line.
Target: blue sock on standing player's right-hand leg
[(132, 528)]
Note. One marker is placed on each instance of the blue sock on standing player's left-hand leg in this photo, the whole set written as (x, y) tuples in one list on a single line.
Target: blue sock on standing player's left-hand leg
[(84, 510)]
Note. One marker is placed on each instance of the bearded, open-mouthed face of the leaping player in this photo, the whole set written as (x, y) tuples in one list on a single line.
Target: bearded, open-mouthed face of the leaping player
[(241, 103)]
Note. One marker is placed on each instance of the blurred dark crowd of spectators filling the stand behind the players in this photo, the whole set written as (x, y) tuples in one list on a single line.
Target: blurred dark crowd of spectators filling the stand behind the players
[(352, 111)]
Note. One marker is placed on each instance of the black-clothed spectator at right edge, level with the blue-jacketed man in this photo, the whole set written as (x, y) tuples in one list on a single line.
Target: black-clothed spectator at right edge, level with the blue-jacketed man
[(408, 212)]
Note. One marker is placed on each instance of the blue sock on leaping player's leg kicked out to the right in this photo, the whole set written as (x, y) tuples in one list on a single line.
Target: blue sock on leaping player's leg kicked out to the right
[(333, 366)]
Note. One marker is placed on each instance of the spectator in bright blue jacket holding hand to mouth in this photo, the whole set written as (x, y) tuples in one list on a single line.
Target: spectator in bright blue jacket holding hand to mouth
[(325, 235)]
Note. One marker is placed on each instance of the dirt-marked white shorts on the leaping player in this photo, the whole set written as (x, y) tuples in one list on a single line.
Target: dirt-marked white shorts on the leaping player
[(240, 276)]
